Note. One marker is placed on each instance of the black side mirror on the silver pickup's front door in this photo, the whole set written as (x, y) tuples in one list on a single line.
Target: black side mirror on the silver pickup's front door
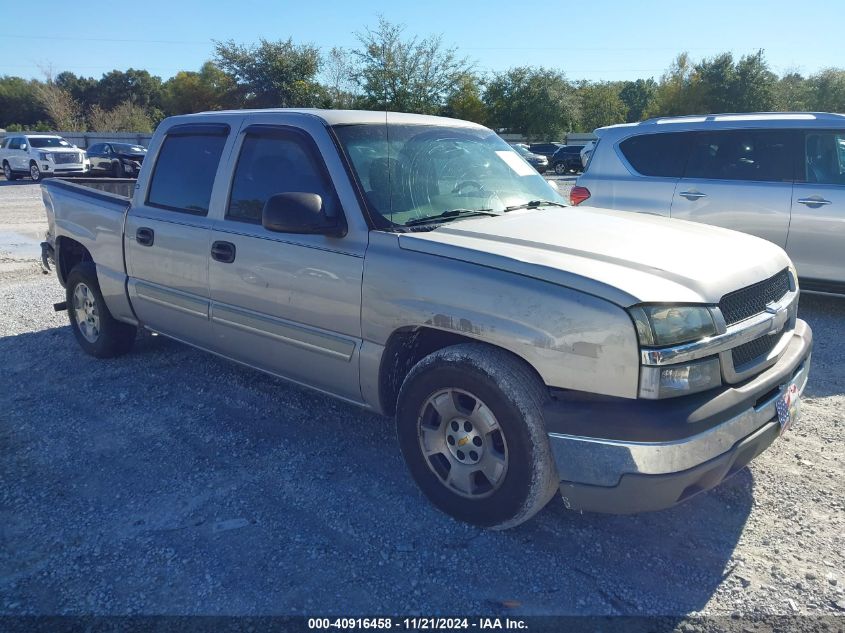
[(298, 212)]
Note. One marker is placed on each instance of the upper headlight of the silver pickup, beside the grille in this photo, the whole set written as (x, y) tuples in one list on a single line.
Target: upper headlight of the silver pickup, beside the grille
[(672, 325)]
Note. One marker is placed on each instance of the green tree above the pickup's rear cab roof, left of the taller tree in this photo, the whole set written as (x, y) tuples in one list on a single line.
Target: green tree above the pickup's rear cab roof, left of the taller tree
[(208, 89)]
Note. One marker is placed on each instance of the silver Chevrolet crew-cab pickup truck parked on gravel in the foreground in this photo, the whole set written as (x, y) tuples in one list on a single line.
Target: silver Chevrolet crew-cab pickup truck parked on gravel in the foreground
[(419, 267)]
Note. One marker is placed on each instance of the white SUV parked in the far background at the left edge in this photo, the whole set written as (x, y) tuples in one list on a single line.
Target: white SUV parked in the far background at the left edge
[(40, 155)]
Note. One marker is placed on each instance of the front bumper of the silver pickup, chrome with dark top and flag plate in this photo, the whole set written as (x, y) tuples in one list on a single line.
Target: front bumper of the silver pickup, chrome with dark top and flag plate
[(653, 455)]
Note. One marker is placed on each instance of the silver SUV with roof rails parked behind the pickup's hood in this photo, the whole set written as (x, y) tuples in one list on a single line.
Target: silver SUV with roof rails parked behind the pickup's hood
[(778, 176)]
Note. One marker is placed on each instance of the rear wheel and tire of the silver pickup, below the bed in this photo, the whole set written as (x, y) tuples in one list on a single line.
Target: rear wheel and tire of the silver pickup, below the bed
[(95, 329)]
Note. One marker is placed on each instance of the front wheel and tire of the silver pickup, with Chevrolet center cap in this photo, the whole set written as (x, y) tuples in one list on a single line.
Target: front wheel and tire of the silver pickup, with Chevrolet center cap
[(505, 427)]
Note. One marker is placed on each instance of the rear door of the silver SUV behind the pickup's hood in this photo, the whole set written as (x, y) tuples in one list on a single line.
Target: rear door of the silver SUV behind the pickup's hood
[(741, 180)]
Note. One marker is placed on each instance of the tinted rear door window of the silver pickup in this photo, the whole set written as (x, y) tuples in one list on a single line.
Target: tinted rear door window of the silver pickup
[(184, 172)]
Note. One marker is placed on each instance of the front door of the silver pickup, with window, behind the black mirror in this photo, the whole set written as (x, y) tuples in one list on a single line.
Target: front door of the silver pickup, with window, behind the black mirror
[(289, 304)]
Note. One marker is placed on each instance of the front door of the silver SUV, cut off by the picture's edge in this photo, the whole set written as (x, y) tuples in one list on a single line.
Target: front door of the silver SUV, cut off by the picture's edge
[(817, 234)]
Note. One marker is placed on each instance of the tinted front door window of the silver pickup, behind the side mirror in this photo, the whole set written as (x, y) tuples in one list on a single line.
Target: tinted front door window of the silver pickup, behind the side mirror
[(272, 163)]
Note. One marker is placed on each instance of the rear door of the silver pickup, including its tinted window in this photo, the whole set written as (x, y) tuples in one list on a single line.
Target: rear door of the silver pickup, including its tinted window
[(167, 234)]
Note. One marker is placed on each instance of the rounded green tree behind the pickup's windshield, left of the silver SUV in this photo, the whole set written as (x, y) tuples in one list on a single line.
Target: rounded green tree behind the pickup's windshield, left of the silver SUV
[(536, 102)]
